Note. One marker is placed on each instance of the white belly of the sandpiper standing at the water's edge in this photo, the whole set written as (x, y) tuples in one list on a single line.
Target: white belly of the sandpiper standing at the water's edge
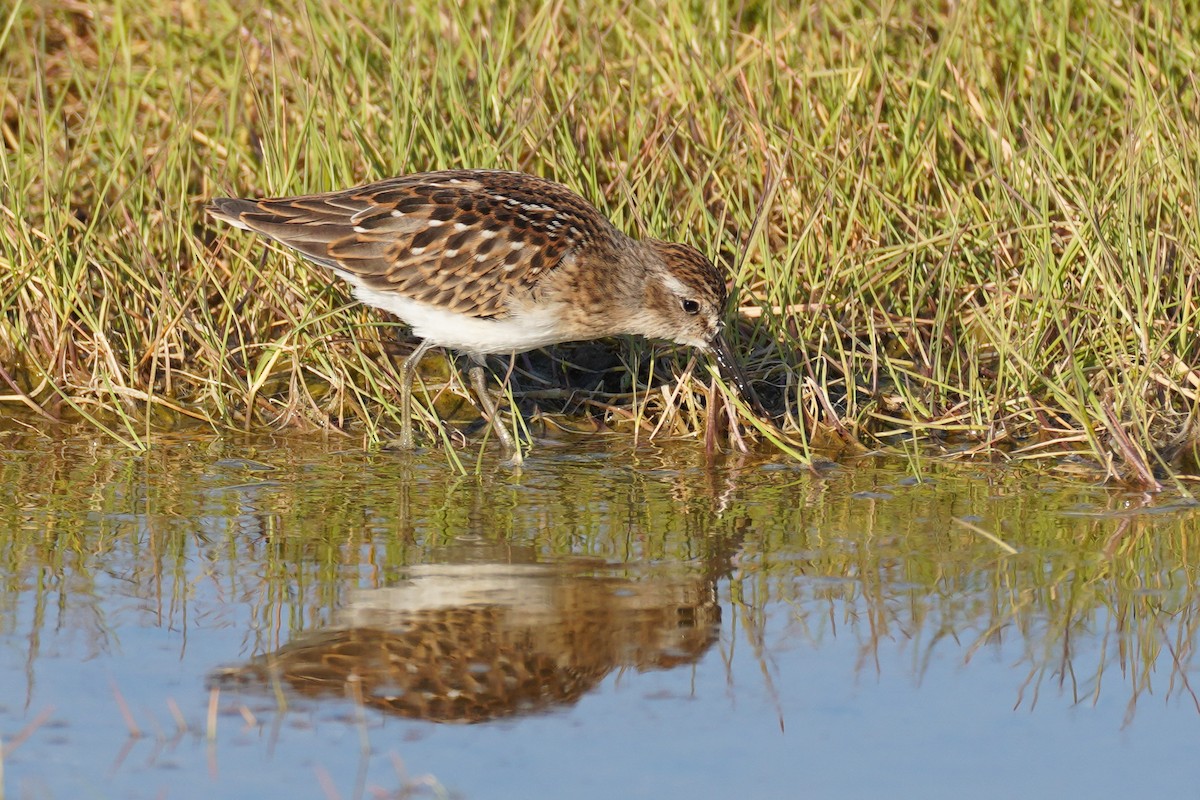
[(472, 335)]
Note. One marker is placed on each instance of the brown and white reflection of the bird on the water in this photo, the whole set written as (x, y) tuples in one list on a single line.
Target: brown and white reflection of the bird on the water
[(487, 641)]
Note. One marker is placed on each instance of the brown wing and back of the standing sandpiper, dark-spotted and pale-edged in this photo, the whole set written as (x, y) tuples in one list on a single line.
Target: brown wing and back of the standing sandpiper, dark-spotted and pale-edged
[(461, 240)]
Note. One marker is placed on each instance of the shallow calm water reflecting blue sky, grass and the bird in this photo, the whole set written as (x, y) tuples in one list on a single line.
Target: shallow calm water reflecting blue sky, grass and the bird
[(251, 618)]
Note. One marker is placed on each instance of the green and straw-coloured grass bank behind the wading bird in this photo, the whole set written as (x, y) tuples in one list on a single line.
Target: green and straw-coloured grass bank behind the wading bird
[(969, 228)]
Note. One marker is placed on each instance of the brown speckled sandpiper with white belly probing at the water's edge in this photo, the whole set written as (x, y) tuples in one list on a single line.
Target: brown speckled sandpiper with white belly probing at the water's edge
[(490, 262)]
